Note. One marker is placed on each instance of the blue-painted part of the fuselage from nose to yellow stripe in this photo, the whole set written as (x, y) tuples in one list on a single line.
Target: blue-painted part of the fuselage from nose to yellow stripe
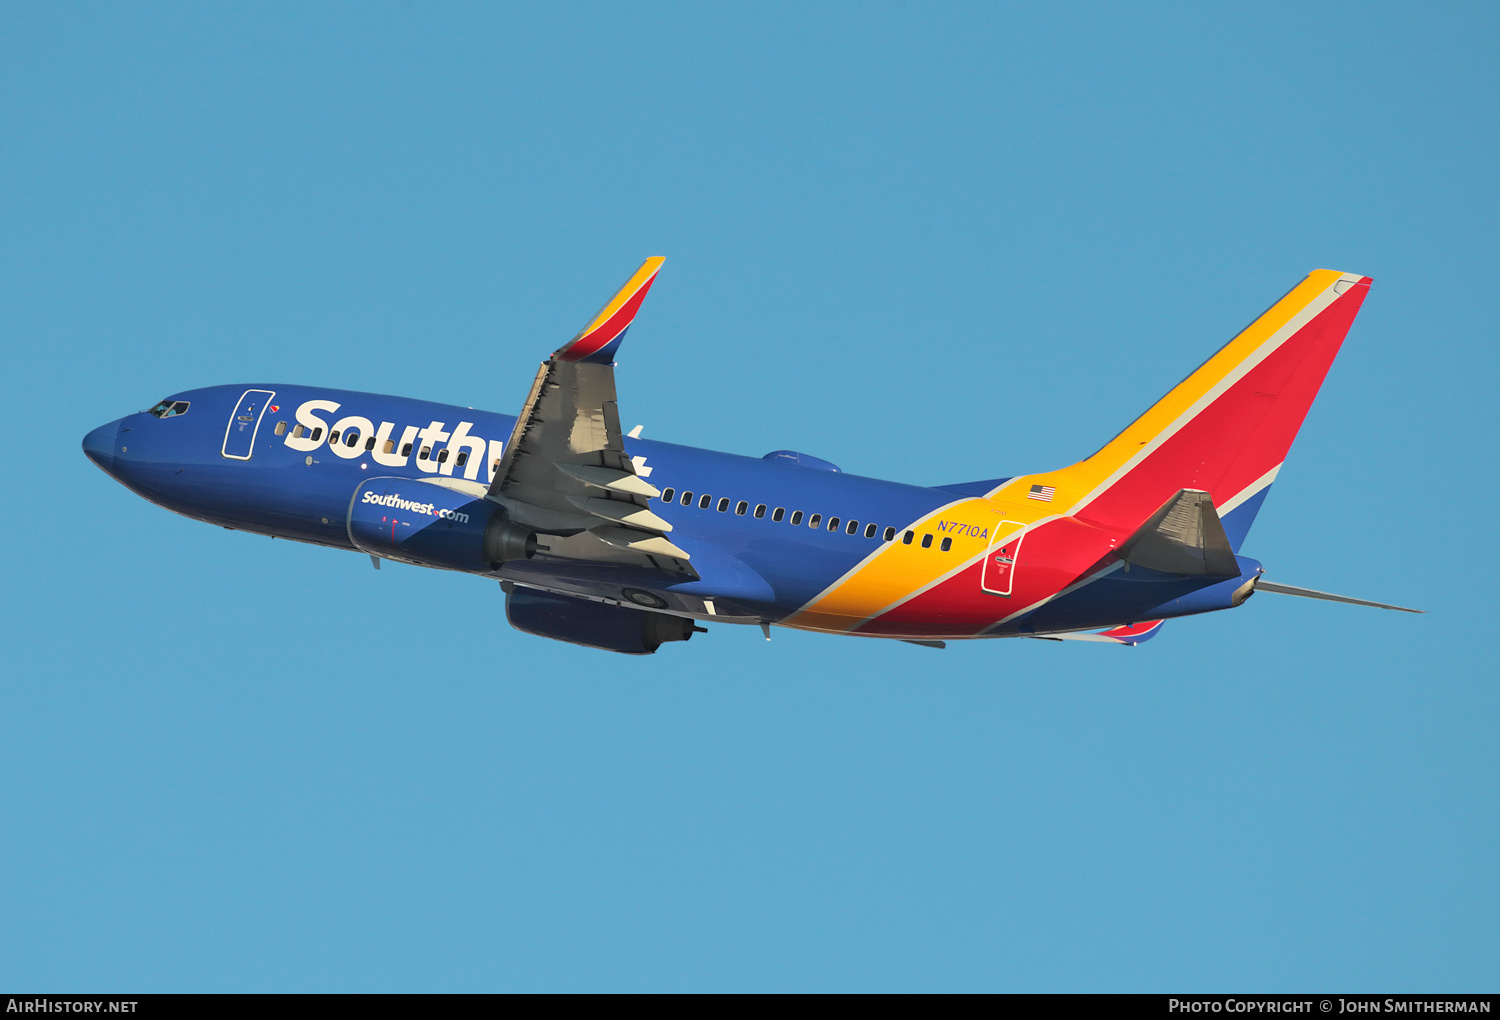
[(182, 463)]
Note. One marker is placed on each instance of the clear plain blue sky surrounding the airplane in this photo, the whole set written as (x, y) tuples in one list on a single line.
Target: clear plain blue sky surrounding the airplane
[(932, 244)]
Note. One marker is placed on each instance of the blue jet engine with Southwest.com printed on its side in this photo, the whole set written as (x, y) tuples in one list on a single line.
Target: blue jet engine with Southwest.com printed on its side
[(431, 526)]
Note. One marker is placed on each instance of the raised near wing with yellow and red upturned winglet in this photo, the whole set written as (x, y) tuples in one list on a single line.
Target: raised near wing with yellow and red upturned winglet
[(565, 470)]
